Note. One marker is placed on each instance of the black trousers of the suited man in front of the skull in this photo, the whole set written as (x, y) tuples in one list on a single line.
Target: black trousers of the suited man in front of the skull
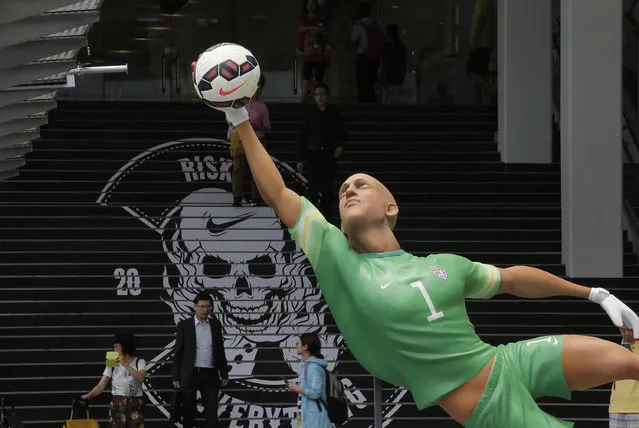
[(207, 381)]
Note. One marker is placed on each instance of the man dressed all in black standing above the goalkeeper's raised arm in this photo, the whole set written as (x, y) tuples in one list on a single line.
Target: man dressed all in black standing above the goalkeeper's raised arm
[(321, 142)]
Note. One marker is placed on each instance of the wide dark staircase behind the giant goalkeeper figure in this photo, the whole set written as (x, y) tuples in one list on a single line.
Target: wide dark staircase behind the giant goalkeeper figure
[(68, 265)]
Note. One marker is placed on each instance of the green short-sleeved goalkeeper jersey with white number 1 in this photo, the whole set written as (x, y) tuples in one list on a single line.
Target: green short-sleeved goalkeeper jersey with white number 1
[(403, 317)]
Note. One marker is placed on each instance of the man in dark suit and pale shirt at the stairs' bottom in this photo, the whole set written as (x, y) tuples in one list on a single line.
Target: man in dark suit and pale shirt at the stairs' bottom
[(200, 363)]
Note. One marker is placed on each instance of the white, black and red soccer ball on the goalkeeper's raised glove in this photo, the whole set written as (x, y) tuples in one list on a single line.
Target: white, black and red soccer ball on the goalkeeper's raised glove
[(226, 76)]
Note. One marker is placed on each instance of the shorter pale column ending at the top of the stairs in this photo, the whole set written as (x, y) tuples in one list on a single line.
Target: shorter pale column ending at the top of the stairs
[(524, 80)]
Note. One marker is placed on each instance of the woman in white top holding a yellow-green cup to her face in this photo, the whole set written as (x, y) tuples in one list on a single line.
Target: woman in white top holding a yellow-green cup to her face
[(127, 405)]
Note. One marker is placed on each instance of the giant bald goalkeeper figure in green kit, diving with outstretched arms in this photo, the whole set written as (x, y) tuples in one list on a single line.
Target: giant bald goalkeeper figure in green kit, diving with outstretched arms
[(403, 317)]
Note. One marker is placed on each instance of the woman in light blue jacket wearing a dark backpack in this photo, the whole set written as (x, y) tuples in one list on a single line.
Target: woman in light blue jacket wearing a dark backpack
[(312, 384)]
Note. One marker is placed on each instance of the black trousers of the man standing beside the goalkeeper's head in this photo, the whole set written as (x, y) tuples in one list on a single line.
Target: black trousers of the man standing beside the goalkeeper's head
[(321, 174)]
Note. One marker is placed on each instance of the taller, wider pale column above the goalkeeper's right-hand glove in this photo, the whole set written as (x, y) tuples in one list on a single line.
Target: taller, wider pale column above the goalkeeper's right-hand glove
[(591, 153)]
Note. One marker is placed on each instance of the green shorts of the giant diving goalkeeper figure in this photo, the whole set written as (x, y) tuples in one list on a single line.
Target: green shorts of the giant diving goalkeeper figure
[(522, 372)]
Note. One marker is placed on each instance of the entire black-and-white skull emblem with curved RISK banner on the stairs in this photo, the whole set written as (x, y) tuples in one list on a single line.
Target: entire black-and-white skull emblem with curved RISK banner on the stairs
[(264, 292)]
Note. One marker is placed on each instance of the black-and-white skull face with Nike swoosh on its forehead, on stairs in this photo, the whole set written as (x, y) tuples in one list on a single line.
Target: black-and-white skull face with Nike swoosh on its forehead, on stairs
[(257, 277)]
